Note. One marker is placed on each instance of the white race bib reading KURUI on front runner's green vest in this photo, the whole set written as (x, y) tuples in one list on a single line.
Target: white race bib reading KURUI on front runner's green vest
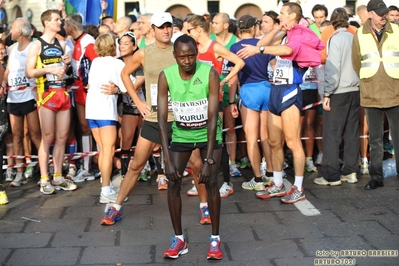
[(191, 115)]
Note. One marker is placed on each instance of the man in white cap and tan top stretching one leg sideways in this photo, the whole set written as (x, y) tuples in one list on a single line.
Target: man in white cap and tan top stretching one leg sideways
[(153, 58)]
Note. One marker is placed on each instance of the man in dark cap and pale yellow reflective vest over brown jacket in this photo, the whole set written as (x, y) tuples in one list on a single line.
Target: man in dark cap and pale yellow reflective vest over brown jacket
[(375, 58)]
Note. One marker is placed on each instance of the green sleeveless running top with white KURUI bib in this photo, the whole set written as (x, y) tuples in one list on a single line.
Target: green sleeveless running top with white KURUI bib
[(189, 99)]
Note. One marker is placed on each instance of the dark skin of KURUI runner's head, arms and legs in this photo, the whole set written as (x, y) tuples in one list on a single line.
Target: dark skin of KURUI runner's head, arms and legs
[(175, 162)]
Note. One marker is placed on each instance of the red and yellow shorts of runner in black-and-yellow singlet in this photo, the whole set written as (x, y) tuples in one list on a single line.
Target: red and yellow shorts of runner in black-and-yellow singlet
[(56, 100)]
